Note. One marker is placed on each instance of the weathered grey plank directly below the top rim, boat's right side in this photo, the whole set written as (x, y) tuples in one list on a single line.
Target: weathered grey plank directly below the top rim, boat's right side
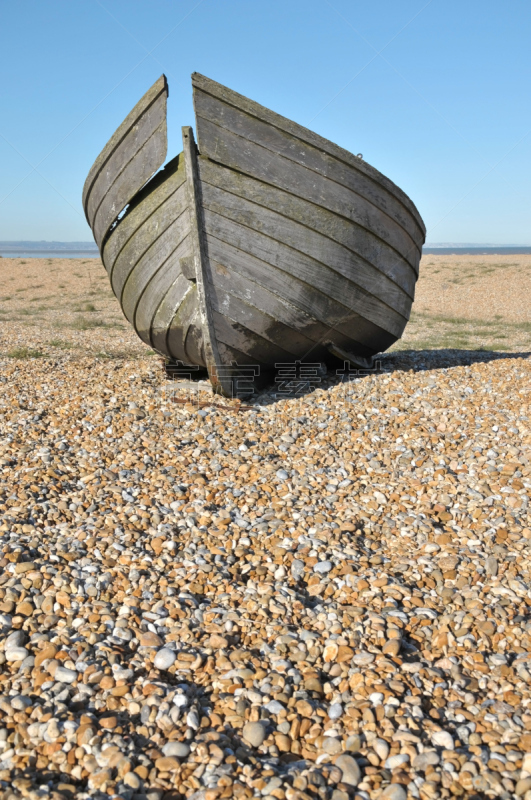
[(278, 141)]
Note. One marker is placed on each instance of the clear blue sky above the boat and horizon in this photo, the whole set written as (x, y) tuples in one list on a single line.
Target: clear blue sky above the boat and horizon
[(434, 94)]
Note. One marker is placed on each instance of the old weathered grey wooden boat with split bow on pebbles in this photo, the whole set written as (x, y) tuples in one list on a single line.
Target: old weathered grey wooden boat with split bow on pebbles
[(265, 244)]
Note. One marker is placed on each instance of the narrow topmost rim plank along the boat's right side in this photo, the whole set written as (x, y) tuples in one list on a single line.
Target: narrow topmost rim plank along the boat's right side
[(204, 84)]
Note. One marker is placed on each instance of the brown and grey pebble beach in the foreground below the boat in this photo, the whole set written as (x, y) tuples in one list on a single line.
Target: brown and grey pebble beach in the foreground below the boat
[(323, 596)]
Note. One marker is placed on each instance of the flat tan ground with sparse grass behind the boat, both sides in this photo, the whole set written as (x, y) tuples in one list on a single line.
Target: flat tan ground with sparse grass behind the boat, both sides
[(66, 305)]
